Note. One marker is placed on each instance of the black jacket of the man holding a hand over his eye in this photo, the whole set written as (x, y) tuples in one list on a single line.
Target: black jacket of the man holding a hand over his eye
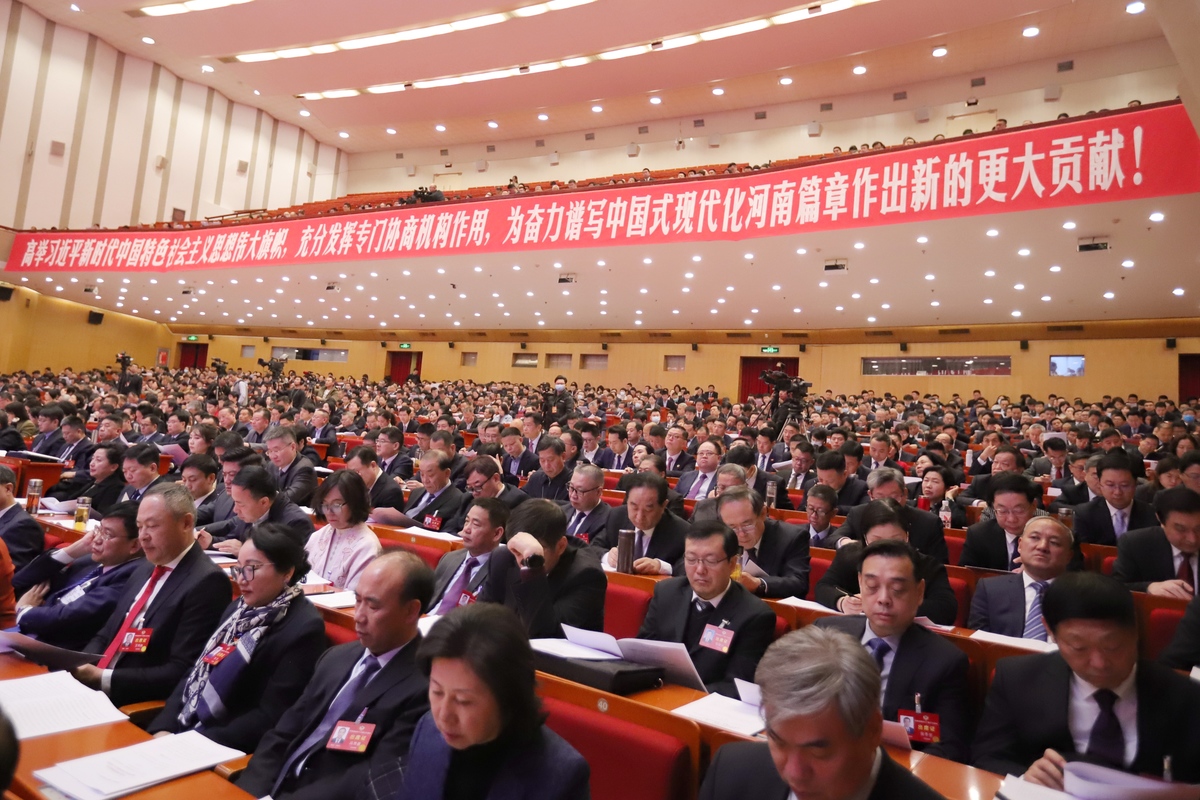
[(573, 594)]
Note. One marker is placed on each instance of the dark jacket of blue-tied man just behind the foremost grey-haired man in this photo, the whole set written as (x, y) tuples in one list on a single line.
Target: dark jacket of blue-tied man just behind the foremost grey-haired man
[(927, 665)]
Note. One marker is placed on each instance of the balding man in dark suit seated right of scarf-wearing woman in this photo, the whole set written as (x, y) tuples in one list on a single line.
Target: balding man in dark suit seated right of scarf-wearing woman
[(375, 682)]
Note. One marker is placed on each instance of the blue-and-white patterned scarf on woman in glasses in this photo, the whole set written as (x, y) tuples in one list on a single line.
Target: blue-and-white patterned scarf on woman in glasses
[(209, 687)]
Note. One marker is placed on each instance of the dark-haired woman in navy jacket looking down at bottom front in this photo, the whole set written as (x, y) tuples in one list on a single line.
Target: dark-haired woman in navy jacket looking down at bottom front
[(484, 737)]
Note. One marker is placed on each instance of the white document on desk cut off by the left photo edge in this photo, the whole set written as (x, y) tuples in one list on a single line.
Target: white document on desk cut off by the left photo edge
[(53, 703)]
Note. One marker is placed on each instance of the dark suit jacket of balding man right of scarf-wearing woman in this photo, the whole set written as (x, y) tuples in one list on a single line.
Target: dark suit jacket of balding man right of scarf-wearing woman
[(394, 701)]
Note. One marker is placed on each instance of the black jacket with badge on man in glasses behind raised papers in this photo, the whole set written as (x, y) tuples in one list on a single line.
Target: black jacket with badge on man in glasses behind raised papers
[(673, 618)]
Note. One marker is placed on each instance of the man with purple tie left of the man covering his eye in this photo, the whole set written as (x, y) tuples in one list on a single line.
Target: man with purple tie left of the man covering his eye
[(463, 573)]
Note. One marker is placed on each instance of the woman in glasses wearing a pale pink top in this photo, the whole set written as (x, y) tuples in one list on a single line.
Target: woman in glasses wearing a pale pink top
[(343, 549)]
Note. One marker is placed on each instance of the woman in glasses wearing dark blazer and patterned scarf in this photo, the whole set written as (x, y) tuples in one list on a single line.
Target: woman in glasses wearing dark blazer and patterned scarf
[(262, 655)]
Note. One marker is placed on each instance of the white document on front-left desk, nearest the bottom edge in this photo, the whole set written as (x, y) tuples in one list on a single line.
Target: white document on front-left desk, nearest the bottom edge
[(127, 771)]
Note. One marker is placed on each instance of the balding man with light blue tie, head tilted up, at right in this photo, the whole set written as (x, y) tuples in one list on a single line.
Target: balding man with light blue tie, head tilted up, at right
[(1011, 605)]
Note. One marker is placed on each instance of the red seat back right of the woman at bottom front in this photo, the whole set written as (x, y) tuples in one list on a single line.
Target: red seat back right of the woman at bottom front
[(617, 750)]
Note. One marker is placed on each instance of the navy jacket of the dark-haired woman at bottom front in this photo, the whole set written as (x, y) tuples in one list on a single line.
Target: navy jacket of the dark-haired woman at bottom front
[(543, 769)]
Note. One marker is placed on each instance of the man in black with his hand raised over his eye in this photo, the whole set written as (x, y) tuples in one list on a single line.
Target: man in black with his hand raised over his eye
[(568, 588)]
